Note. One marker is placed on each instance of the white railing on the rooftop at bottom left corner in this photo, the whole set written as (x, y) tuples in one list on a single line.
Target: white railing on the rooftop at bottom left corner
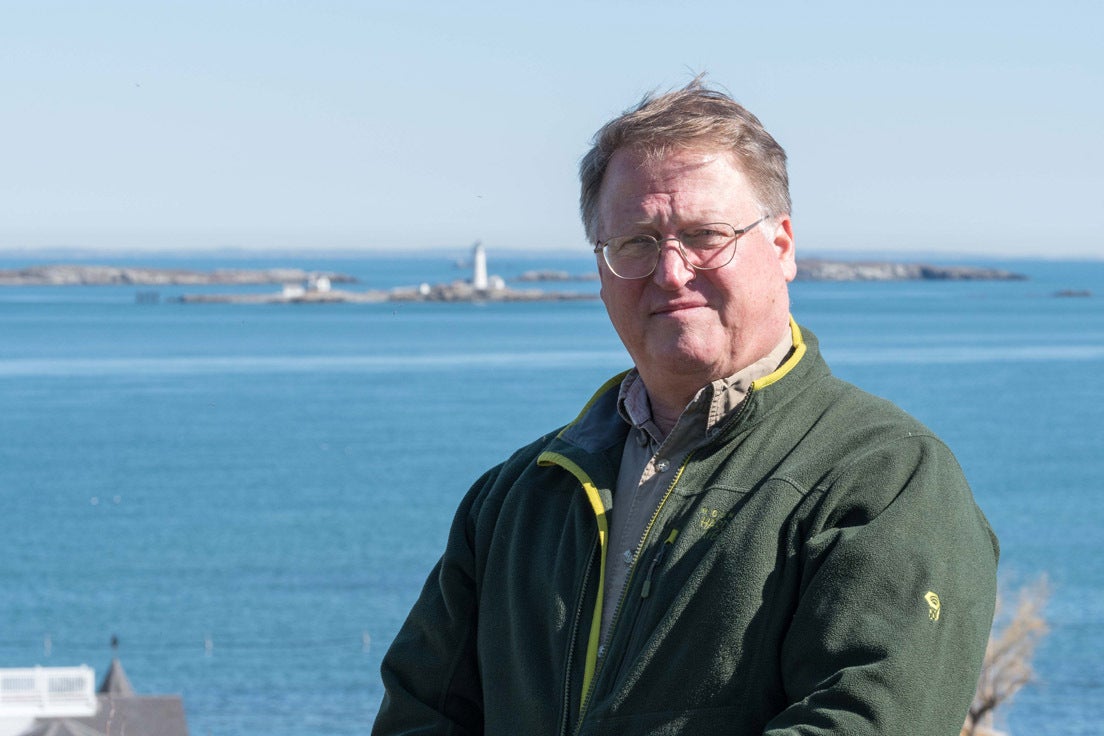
[(47, 692)]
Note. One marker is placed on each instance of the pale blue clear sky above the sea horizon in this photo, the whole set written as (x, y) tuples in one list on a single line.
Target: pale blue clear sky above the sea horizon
[(938, 127)]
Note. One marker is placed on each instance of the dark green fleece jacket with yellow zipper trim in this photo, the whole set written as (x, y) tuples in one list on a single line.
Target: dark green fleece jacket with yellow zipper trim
[(819, 568)]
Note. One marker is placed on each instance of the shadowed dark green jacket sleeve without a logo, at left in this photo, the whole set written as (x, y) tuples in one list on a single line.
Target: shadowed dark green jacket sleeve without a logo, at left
[(431, 674)]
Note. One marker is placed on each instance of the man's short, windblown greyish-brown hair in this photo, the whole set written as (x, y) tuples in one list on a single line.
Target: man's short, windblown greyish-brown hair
[(694, 116)]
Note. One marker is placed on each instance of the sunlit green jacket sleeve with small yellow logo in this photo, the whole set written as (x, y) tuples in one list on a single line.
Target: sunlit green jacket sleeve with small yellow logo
[(898, 592)]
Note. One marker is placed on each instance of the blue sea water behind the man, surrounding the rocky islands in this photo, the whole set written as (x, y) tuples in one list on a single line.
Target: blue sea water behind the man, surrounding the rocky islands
[(250, 497)]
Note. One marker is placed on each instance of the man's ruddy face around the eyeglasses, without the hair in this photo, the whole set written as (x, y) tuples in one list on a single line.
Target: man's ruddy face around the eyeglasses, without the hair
[(686, 328)]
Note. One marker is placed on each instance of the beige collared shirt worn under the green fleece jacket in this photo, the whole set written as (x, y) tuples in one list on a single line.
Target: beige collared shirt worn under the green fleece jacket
[(651, 461)]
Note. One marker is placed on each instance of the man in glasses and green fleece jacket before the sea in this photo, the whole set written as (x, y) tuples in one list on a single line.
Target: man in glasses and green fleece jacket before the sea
[(728, 540)]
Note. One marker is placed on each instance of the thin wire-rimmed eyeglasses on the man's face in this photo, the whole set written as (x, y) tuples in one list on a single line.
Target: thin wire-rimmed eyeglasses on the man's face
[(704, 248)]
